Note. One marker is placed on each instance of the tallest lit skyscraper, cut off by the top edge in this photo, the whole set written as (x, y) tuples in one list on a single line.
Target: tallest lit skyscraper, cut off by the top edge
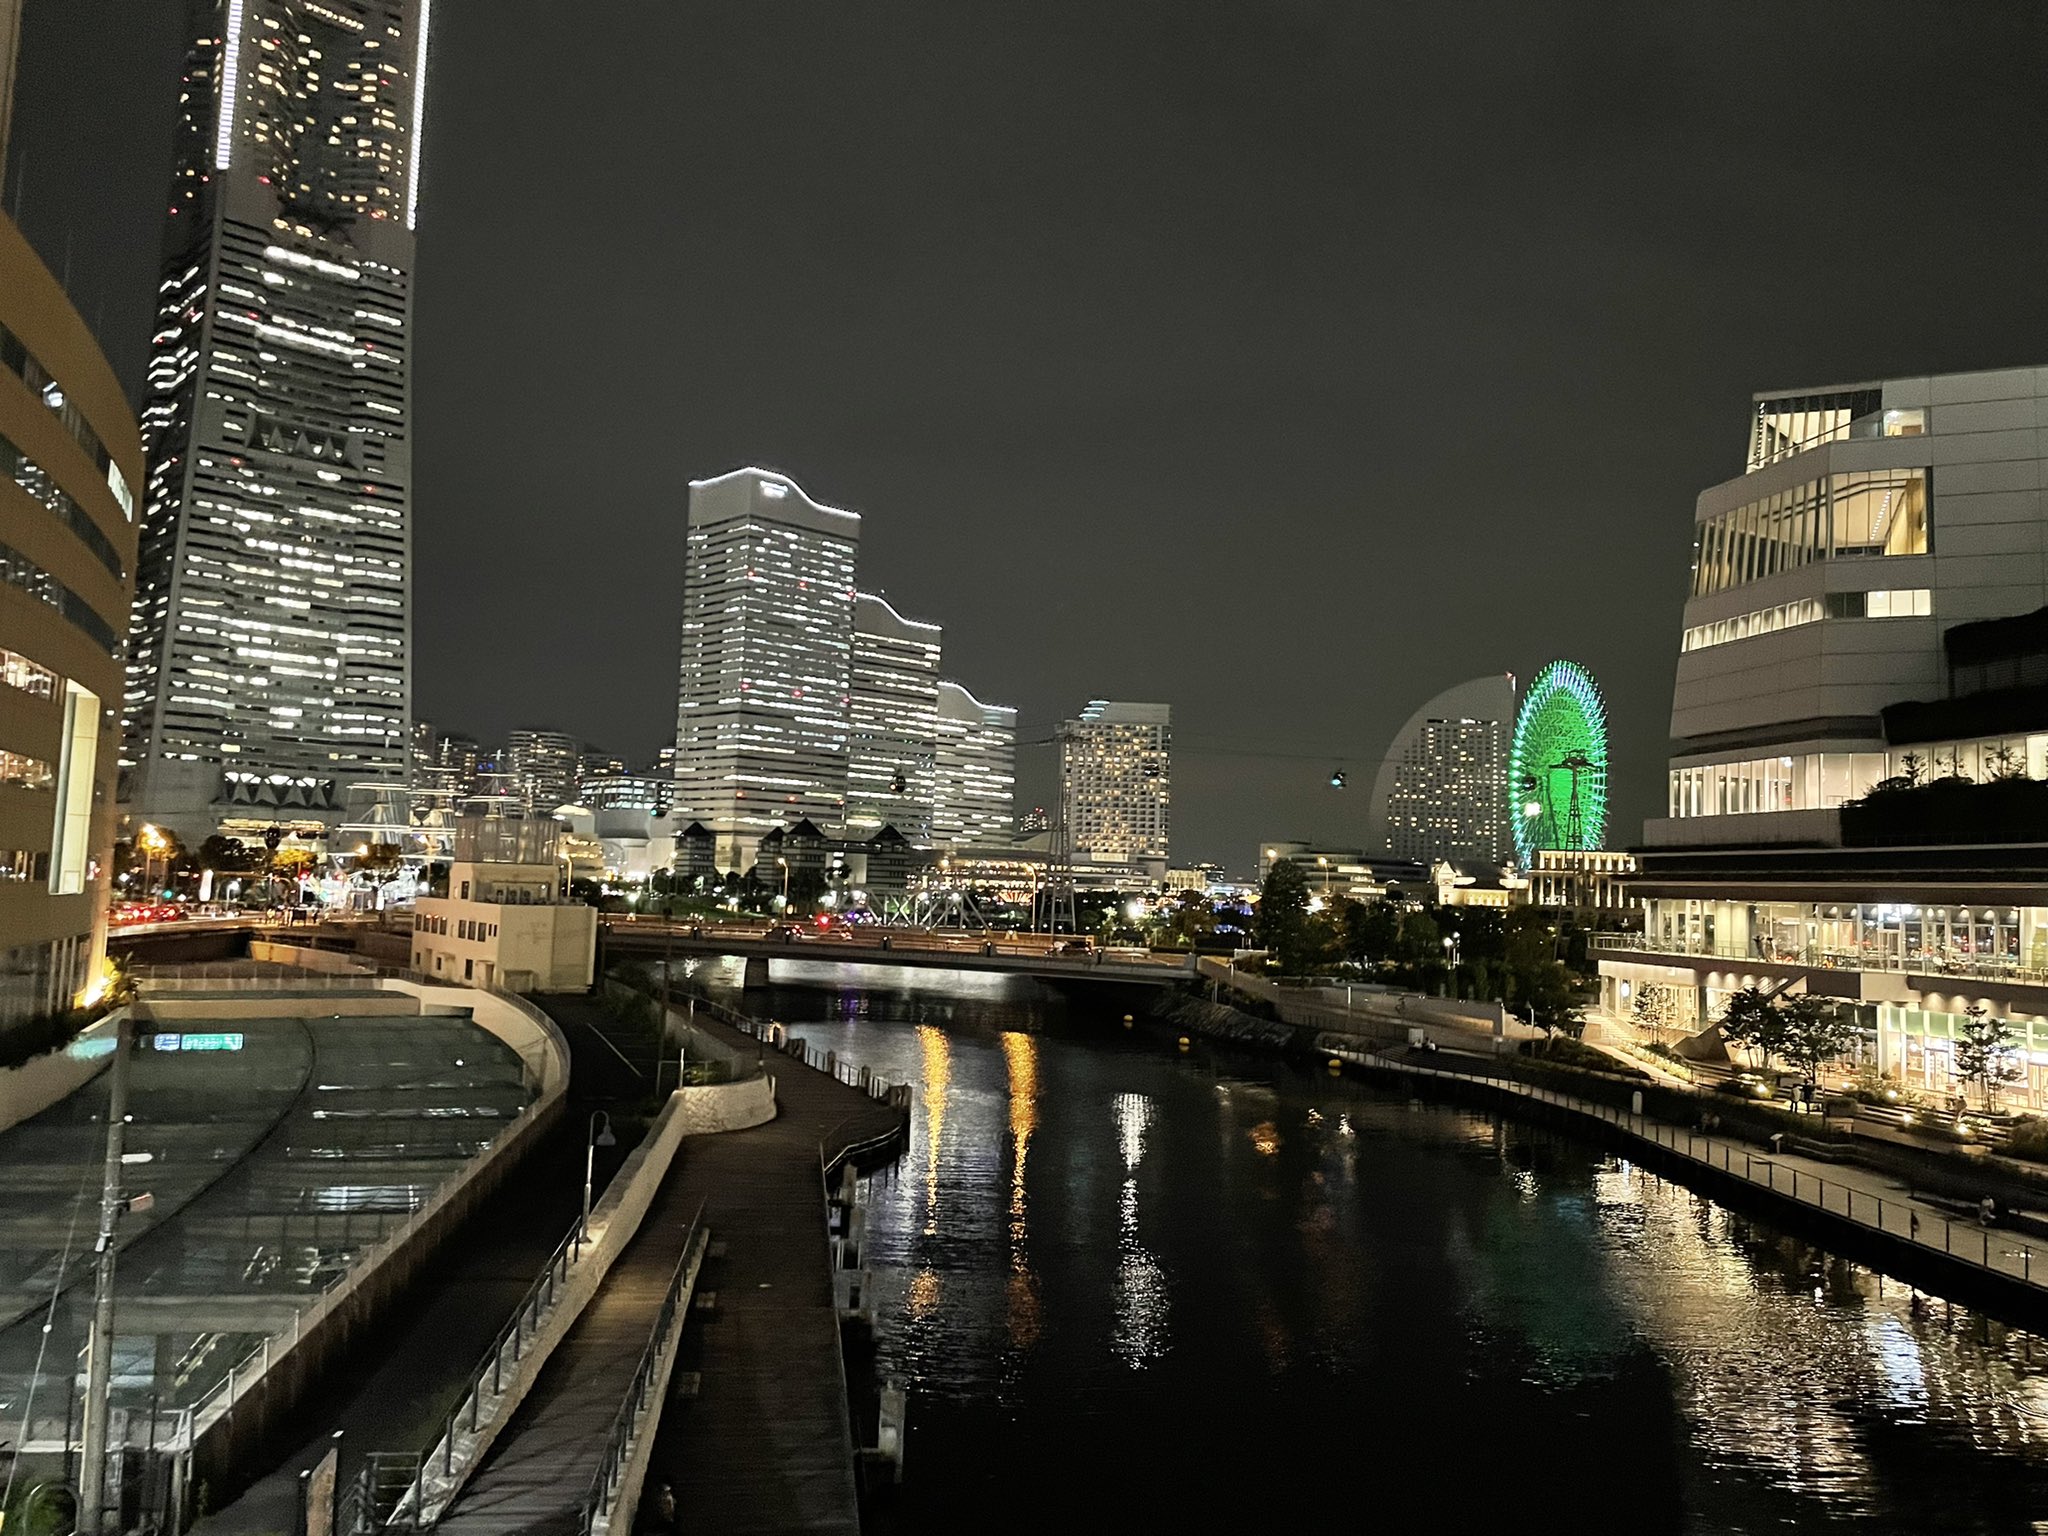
[(269, 663)]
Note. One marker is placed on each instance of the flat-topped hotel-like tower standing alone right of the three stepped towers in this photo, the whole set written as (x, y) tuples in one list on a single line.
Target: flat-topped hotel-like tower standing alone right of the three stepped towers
[(1115, 783)]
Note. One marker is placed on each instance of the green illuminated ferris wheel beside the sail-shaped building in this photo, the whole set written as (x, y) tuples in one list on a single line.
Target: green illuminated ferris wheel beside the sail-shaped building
[(1558, 769)]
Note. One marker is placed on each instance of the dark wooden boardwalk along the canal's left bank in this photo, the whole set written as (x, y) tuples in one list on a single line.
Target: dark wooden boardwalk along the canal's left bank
[(765, 1445)]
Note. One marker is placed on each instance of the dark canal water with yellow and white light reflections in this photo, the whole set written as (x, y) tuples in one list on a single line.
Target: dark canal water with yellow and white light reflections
[(1140, 1289)]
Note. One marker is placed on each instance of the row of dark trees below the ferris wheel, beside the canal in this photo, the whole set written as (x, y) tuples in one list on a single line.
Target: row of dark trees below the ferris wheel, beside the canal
[(1521, 957)]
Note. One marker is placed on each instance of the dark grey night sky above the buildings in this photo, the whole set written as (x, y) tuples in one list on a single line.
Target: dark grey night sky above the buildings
[(1279, 359)]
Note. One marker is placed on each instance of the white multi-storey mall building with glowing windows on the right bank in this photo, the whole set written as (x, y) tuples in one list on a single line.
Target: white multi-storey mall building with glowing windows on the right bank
[(1869, 611)]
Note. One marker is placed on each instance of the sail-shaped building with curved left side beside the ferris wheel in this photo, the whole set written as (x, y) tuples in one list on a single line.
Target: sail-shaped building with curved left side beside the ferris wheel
[(1441, 792)]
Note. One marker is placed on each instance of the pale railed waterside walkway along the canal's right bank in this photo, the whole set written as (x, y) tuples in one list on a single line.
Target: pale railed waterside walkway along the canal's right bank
[(1844, 1191)]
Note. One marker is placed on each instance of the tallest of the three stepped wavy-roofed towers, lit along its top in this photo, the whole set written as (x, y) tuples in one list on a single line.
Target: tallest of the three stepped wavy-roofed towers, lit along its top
[(765, 679)]
